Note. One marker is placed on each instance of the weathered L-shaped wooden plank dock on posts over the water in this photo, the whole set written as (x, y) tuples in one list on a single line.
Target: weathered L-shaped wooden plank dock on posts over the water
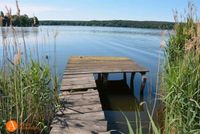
[(82, 111)]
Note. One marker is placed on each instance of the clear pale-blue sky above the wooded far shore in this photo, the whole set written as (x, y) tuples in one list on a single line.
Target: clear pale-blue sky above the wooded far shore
[(142, 10)]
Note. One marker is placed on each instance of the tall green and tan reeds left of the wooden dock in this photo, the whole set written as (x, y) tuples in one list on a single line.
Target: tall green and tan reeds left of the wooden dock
[(28, 88)]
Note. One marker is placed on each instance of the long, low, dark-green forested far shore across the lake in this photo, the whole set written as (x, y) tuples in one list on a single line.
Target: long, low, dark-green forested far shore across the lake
[(112, 23)]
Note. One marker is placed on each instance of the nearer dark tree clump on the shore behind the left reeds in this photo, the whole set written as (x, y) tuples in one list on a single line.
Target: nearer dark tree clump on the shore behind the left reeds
[(18, 20)]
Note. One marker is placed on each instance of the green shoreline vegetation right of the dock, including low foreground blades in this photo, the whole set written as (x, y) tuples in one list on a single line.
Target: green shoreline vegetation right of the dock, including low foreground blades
[(178, 97)]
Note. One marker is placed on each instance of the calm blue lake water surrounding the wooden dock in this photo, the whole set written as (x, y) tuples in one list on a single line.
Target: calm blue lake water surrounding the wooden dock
[(61, 42)]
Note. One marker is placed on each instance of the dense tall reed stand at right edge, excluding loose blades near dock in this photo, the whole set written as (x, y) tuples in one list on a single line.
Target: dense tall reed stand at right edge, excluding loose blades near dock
[(181, 77)]
